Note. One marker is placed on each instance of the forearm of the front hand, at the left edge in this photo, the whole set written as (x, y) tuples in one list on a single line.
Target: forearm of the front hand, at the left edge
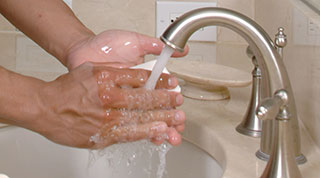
[(19, 99)]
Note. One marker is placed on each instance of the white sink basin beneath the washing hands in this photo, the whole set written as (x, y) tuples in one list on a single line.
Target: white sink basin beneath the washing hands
[(24, 154)]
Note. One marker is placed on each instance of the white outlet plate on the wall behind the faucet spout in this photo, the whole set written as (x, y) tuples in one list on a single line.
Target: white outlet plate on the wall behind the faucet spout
[(168, 11)]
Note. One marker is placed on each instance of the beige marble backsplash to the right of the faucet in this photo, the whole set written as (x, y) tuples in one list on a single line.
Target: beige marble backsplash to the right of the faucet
[(302, 60)]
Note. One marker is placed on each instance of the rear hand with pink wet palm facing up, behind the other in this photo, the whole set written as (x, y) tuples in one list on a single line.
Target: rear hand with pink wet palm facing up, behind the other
[(117, 48)]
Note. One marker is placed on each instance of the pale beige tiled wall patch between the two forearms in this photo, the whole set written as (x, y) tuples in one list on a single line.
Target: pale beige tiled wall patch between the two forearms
[(21, 55)]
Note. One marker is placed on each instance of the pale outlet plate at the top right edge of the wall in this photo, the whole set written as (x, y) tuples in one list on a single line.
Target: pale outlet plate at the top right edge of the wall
[(305, 32)]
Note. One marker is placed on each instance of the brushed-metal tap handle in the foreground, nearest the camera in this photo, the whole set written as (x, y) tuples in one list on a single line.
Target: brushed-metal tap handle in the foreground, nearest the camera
[(282, 162)]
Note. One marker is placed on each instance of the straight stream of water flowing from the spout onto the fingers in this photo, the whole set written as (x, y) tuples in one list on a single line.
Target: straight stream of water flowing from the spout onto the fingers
[(158, 67)]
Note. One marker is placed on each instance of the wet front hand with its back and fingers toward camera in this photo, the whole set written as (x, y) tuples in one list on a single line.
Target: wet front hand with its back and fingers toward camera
[(94, 106)]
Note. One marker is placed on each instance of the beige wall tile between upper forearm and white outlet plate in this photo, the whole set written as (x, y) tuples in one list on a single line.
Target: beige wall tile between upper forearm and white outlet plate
[(102, 15)]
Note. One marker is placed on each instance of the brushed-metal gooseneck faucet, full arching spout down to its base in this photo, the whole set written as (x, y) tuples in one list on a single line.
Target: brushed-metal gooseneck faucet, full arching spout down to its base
[(274, 75)]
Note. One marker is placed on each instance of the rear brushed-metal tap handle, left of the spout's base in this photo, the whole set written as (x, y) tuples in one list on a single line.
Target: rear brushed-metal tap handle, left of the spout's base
[(251, 125)]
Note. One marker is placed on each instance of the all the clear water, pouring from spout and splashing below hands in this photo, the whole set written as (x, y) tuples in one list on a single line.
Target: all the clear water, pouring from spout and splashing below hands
[(118, 154)]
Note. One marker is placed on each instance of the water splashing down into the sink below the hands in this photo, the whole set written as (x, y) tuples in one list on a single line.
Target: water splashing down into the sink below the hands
[(140, 159)]
